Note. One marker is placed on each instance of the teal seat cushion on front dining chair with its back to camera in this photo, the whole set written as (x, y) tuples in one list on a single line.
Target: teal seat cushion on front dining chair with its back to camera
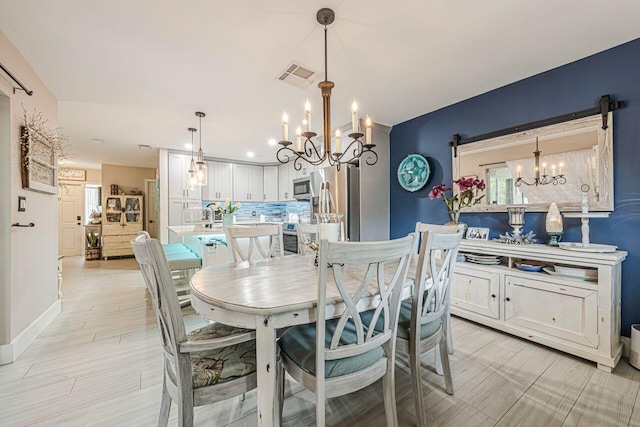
[(298, 343)]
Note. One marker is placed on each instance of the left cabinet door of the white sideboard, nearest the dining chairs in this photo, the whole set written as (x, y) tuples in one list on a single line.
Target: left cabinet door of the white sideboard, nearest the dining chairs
[(478, 292)]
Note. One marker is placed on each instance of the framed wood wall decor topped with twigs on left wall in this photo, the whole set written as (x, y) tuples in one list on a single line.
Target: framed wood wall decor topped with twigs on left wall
[(39, 162)]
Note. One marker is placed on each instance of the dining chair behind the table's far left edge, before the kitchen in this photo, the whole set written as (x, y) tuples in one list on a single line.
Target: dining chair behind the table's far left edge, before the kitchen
[(240, 235)]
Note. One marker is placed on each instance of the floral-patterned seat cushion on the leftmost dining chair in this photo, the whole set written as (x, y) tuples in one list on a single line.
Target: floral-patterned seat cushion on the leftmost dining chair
[(222, 364)]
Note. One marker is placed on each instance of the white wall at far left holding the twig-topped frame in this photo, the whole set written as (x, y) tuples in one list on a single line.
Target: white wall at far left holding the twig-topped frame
[(29, 271)]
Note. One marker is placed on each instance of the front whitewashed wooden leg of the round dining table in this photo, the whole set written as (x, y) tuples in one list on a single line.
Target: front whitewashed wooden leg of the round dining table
[(266, 372)]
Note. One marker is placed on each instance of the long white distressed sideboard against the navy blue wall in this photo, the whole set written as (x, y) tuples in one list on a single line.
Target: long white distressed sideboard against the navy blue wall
[(574, 316)]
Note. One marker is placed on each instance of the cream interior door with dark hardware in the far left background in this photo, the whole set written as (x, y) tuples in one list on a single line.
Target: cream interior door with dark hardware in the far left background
[(70, 221)]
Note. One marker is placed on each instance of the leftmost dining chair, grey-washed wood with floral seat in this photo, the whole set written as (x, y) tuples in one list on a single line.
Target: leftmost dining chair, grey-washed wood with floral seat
[(205, 366)]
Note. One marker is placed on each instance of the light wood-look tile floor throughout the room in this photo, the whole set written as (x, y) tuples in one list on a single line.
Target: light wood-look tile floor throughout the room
[(99, 363)]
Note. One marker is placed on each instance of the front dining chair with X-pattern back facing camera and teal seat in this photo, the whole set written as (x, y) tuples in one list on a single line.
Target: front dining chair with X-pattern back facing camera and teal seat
[(336, 356)]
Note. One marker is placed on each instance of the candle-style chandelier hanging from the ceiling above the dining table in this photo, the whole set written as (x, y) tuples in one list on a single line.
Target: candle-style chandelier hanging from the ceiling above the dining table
[(315, 153)]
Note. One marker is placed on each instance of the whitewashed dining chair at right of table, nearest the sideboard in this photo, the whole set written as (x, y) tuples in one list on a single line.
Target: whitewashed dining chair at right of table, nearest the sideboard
[(423, 320)]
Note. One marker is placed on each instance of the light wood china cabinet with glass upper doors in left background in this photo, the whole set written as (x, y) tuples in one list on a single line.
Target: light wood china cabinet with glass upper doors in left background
[(121, 222)]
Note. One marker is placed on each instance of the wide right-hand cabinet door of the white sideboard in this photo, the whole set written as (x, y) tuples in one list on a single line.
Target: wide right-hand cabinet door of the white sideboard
[(557, 310)]
